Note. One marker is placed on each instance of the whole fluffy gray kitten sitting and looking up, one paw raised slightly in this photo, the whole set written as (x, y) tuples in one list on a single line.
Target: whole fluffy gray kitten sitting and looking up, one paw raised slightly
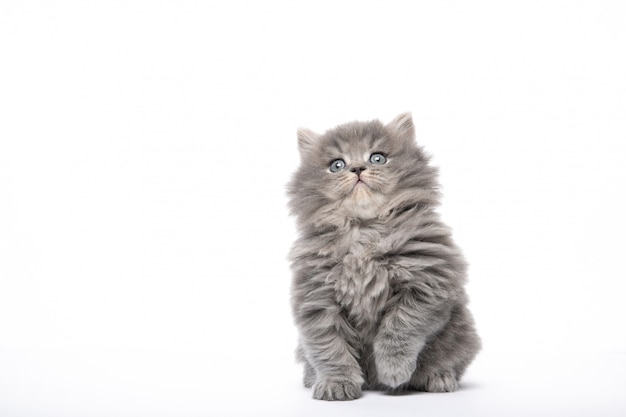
[(377, 290)]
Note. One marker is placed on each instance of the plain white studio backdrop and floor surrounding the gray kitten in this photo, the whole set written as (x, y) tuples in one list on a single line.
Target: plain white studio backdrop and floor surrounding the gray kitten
[(144, 152)]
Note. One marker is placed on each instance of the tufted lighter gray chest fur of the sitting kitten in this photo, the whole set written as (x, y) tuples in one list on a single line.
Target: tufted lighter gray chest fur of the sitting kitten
[(361, 276)]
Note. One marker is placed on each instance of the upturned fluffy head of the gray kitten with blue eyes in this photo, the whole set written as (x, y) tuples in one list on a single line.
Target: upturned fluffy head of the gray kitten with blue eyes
[(359, 171)]
